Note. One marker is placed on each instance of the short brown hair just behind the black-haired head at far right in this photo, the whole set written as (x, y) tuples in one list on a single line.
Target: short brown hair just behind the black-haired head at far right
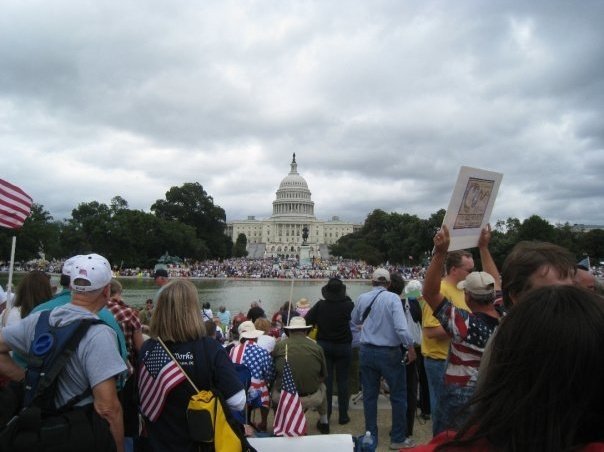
[(528, 257)]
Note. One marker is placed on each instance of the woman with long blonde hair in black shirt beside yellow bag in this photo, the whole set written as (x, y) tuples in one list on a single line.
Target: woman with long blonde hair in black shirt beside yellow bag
[(178, 333)]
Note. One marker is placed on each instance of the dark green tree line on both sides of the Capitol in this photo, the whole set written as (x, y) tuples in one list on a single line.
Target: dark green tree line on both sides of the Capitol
[(188, 224)]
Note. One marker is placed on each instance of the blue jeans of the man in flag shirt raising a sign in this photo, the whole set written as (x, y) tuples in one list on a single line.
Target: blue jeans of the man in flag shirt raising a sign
[(452, 410)]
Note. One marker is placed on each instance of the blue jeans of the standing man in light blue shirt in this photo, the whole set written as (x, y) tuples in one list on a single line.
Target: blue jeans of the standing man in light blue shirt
[(377, 362)]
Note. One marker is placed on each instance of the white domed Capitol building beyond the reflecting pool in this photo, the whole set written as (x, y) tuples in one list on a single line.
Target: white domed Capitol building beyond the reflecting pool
[(280, 235)]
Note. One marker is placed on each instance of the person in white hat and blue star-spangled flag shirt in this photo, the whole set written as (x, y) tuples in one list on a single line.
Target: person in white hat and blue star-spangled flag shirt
[(260, 364)]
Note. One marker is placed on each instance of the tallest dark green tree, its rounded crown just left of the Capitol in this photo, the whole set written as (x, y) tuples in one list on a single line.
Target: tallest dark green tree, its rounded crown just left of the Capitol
[(191, 205)]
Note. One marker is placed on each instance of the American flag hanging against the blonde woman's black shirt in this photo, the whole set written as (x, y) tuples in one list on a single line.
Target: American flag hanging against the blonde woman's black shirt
[(159, 374)]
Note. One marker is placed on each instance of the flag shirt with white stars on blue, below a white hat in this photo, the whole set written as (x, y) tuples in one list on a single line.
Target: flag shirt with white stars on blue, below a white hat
[(261, 366)]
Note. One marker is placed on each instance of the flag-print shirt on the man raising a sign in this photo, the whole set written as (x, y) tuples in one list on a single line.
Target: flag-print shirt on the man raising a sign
[(469, 333)]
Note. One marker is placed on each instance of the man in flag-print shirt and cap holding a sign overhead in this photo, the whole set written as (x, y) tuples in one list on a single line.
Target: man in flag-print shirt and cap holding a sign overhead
[(469, 330)]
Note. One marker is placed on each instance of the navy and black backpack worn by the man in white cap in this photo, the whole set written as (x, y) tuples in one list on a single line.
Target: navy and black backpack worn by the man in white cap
[(36, 424)]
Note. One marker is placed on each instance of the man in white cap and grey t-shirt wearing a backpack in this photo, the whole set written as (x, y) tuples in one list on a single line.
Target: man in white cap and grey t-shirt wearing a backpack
[(96, 362)]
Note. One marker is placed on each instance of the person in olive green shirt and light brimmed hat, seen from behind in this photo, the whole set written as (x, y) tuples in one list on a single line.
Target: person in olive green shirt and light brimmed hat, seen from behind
[(309, 370)]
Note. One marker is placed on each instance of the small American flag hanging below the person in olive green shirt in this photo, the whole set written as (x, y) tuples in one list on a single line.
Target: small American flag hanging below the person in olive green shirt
[(289, 418)]
